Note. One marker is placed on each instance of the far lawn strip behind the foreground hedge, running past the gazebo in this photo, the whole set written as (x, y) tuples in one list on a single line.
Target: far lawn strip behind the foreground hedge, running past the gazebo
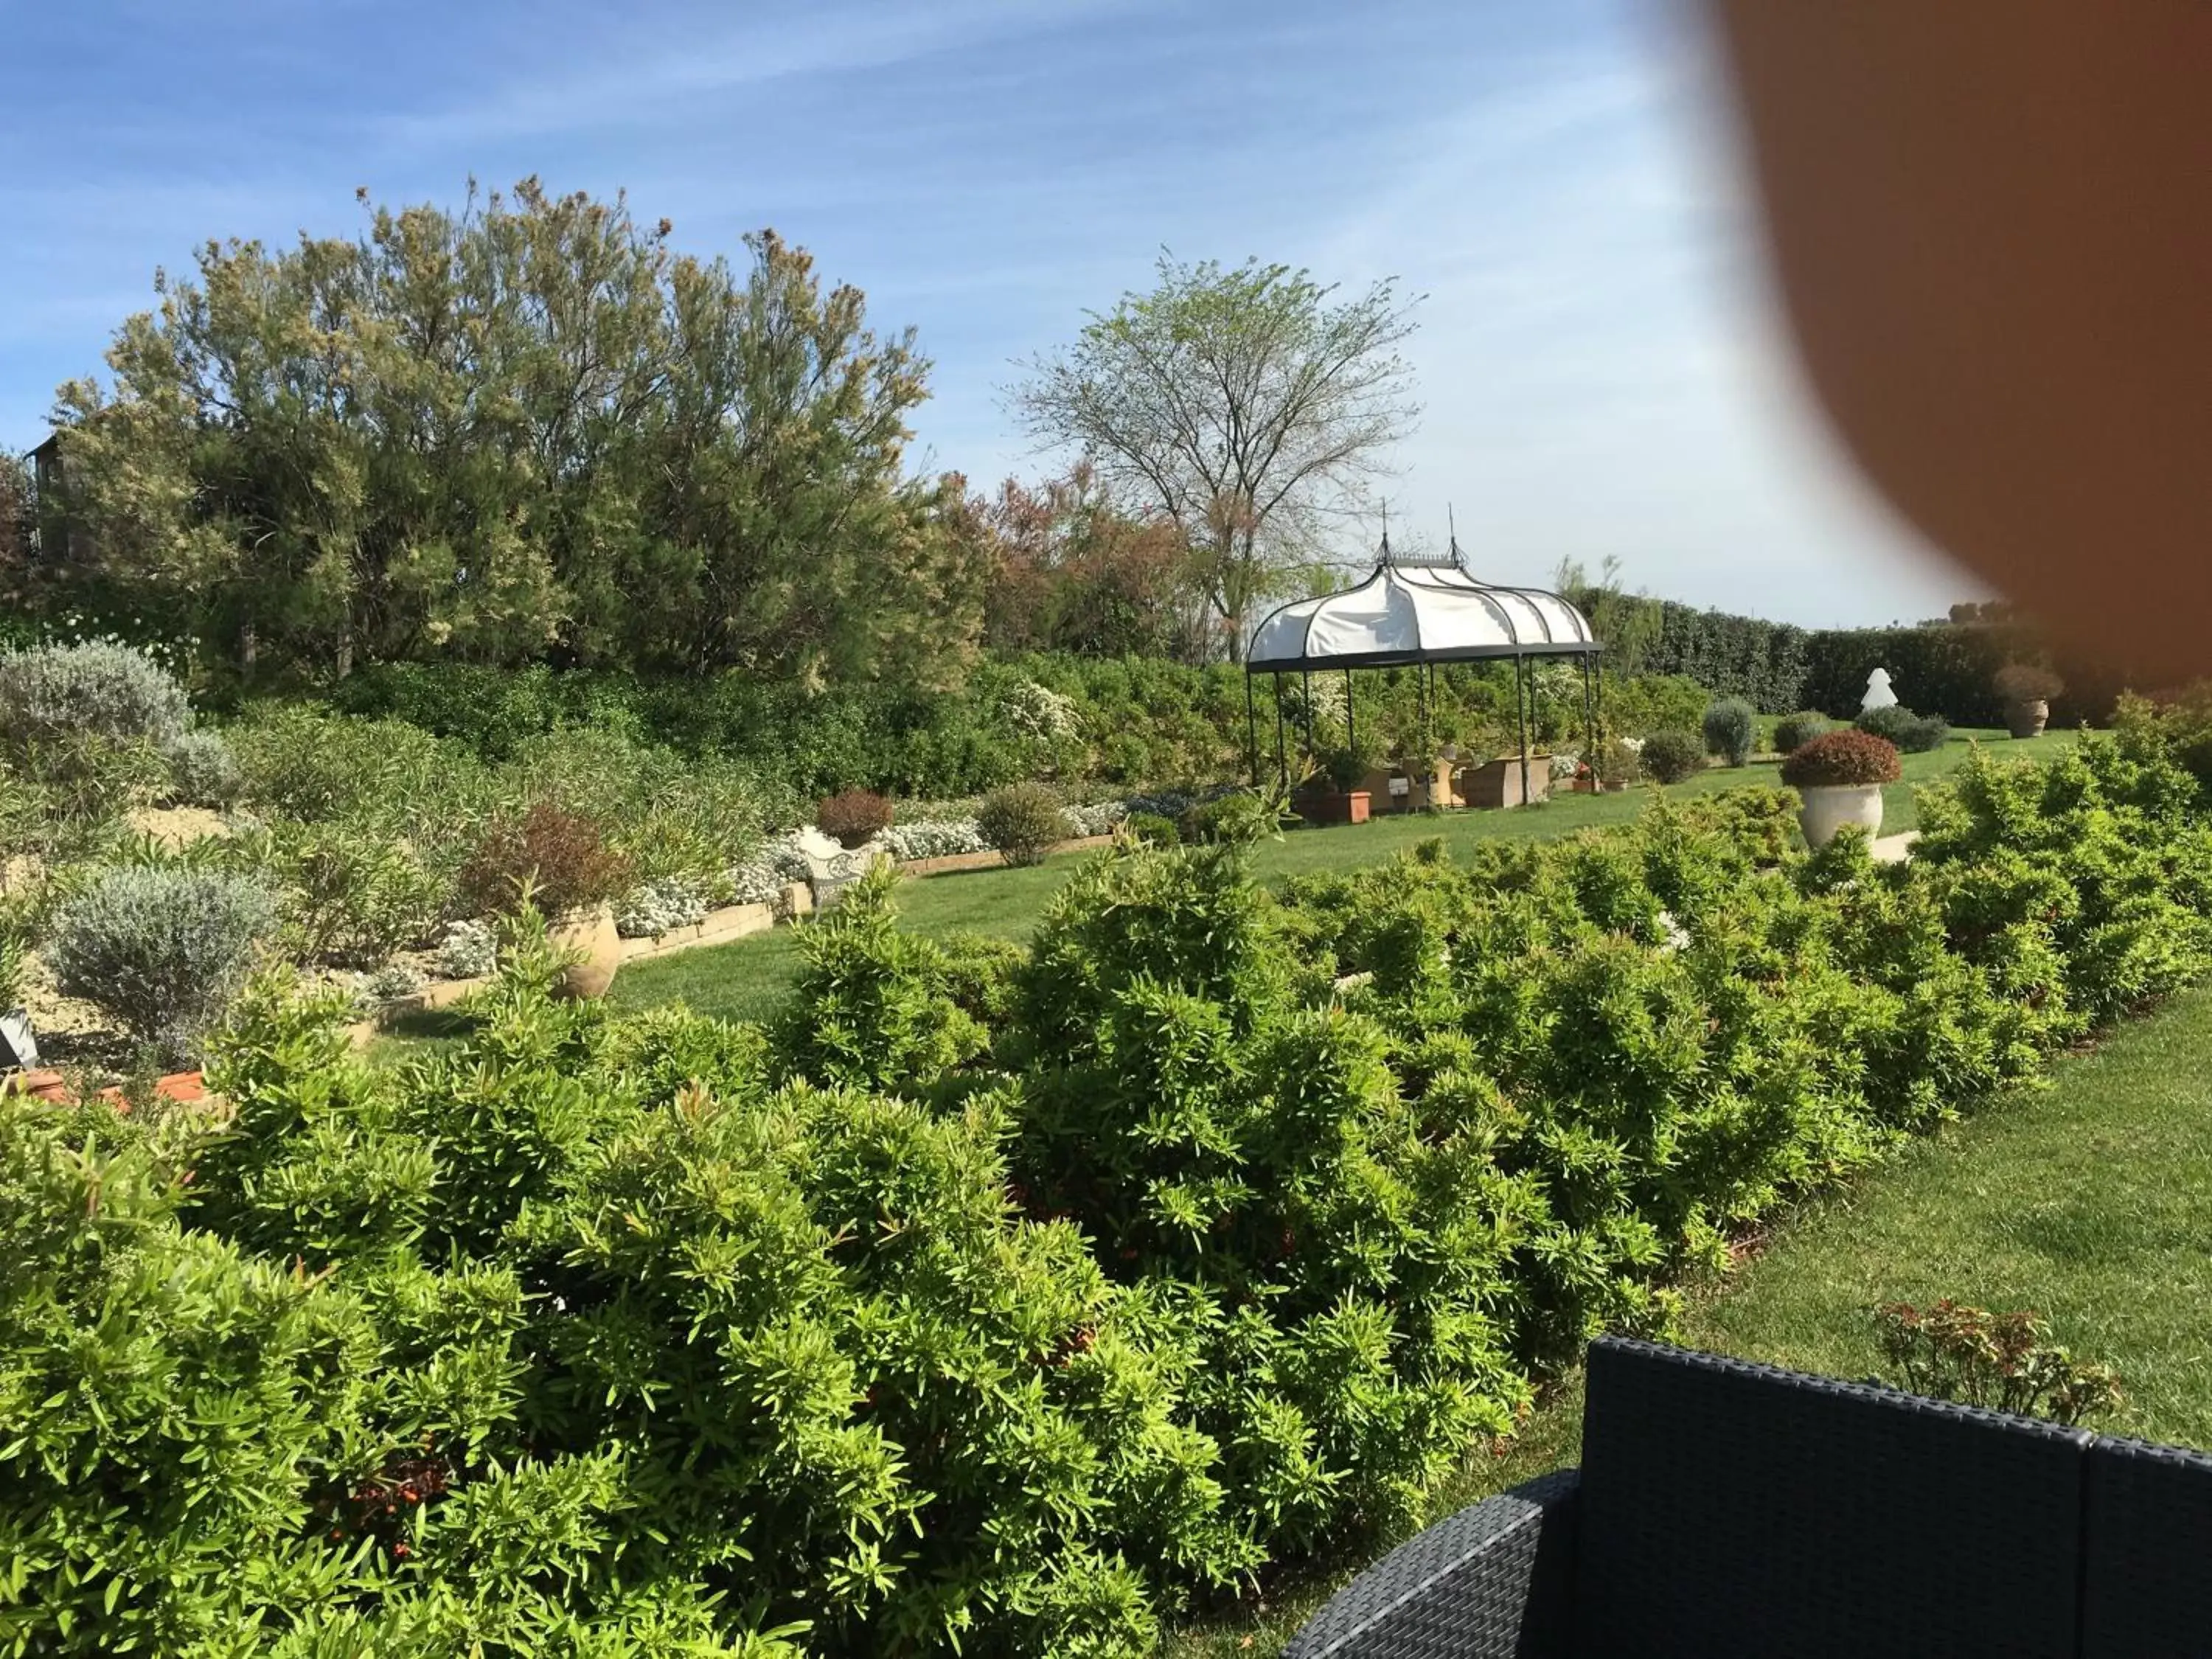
[(749, 979)]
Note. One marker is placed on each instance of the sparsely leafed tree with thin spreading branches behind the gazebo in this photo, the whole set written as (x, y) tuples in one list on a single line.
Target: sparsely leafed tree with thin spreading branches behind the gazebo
[(1251, 406)]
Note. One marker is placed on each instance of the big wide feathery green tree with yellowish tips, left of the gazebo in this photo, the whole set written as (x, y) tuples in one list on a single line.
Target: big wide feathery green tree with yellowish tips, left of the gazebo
[(519, 430)]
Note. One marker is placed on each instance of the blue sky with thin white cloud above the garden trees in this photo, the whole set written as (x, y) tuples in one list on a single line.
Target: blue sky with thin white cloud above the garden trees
[(1598, 364)]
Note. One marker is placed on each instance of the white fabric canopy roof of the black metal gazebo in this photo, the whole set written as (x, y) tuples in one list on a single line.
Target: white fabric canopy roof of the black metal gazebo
[(1419, 612)]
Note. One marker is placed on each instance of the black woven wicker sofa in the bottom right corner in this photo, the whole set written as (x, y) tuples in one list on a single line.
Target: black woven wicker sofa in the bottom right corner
[(1740, 1512)]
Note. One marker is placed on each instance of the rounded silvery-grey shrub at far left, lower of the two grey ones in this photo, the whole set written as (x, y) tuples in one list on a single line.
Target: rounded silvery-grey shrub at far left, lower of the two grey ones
[(160, 948)]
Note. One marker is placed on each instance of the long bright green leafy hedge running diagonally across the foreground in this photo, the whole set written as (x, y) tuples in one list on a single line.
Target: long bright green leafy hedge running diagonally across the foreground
[(997, 1302)]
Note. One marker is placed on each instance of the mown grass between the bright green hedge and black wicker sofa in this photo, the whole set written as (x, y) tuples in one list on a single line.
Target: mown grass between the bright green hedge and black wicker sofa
[(2089, 1202)]
